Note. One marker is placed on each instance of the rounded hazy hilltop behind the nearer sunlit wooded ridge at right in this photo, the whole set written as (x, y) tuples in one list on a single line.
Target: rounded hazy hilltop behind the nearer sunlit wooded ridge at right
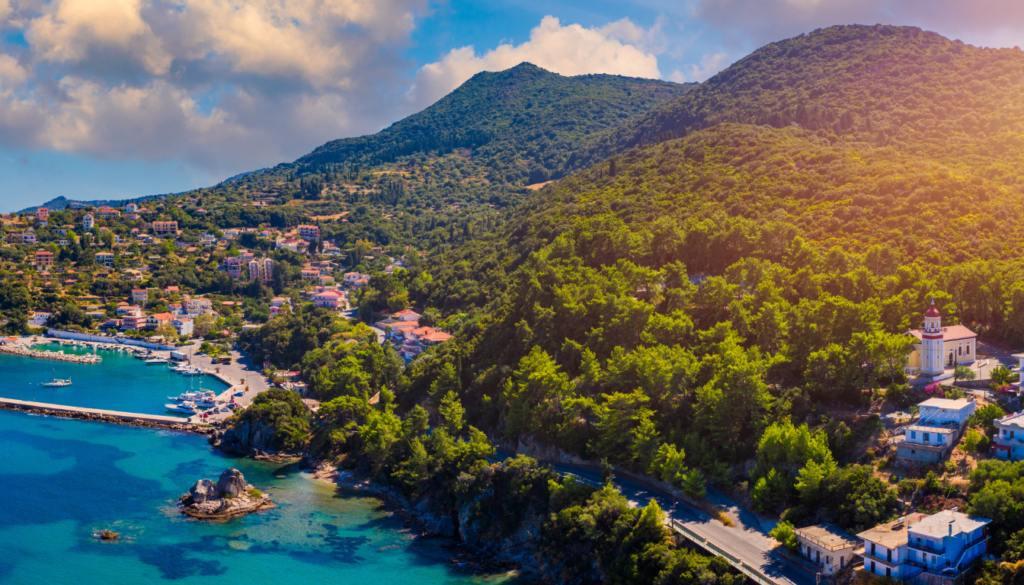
[(898, 87)]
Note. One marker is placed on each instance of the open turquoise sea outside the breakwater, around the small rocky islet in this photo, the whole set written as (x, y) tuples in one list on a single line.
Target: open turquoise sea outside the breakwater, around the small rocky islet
[(63, 481)]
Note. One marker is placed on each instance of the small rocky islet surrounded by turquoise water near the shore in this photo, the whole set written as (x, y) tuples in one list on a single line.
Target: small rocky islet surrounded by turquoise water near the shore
[(230, 497)]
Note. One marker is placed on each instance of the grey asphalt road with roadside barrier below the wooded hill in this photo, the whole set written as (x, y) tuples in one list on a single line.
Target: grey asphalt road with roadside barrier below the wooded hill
[(746, 540)]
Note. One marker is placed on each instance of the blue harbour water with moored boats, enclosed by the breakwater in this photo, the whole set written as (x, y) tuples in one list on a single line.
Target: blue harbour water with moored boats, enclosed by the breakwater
[(120, 383)]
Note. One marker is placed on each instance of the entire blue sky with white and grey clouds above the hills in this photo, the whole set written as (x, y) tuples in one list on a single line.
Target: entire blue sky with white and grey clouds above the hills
[(123, 99)]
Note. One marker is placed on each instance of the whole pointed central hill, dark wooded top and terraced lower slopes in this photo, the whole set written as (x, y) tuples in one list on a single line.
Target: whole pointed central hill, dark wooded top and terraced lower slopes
[(437, 178)]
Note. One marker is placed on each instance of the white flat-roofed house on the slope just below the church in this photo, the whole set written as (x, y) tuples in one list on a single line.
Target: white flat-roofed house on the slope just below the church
[(932, 438)]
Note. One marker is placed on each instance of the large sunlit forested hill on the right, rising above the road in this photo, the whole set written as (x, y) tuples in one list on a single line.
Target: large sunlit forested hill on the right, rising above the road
[(685, 306)]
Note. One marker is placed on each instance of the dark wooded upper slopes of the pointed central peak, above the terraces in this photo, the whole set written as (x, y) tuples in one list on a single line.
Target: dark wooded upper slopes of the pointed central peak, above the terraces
[(522, 124)]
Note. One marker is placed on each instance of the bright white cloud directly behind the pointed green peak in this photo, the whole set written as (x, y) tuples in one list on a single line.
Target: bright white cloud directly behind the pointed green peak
[(568, 51)]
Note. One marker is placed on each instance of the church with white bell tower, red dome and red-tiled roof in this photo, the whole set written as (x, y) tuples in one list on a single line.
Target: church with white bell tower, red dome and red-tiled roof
[(937, 350)]
